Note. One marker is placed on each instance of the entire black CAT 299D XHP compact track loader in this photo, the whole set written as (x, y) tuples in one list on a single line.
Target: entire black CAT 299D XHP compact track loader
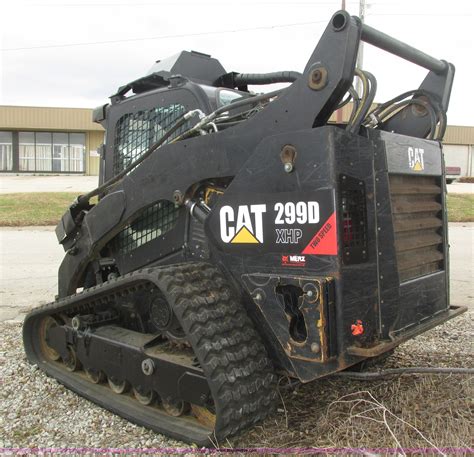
[(237, 237)]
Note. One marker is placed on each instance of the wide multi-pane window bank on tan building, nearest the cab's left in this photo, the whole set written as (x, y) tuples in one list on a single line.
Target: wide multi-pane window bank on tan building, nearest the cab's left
[(58, 152)]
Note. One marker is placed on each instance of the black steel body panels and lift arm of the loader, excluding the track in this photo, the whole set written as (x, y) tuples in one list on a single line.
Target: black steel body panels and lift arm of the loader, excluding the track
[(366, 289)]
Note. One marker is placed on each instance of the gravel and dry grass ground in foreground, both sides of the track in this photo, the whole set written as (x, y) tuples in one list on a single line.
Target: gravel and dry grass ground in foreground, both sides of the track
[(36, 411)]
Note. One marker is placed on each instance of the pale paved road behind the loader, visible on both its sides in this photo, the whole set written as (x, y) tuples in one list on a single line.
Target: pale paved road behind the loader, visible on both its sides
[(30, 258)]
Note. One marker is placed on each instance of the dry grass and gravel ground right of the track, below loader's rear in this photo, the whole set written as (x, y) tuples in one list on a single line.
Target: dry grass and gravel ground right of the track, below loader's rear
[(411, 411)]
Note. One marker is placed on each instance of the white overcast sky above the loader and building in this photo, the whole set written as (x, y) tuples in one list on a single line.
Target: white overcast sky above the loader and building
[(60, 69)]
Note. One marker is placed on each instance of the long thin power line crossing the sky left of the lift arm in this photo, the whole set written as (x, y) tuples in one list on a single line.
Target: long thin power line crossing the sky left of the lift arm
[(162, 37)]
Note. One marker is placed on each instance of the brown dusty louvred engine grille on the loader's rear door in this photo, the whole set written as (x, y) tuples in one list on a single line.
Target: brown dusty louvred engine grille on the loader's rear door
[(418, 224)]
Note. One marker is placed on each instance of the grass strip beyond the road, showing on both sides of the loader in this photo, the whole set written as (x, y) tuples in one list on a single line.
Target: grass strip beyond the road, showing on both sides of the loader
[(46, 208)]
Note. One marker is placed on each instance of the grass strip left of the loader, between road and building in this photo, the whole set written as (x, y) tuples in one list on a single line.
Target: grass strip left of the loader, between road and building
[(43, 208)]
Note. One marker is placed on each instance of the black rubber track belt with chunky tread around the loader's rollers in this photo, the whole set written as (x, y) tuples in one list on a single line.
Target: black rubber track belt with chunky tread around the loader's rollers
[(224, 340)]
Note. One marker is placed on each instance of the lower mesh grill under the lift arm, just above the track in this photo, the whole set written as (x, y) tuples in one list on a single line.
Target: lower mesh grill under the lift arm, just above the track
[(154, 222)]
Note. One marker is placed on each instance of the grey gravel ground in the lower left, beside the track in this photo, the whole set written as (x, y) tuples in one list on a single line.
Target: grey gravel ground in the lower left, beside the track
[(38, 412)]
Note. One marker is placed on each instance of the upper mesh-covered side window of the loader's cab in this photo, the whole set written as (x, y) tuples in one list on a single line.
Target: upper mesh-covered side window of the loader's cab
[(136, 132)]
